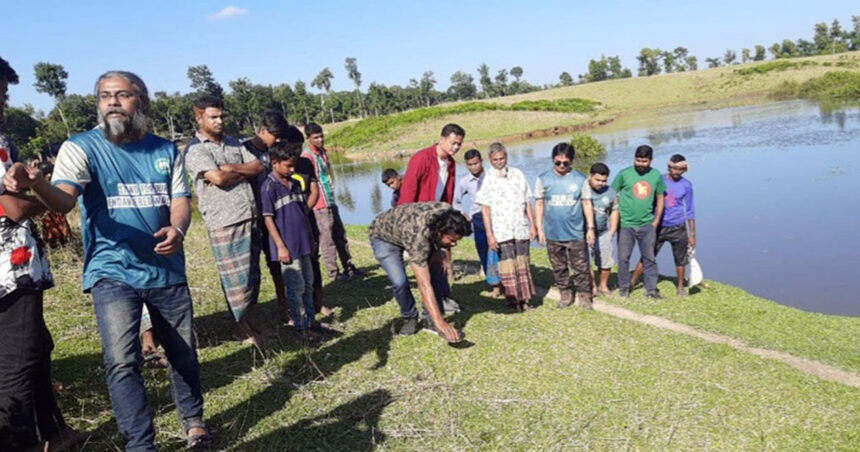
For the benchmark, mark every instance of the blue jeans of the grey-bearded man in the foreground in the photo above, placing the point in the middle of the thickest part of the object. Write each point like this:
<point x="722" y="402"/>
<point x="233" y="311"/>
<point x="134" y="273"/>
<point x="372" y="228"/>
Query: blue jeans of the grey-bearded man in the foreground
<point x="118" y="308"/>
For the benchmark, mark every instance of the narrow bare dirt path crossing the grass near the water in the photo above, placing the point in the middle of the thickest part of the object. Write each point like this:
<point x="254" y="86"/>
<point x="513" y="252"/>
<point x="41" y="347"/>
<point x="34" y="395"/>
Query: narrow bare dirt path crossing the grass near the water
<point x="807" y="366"/>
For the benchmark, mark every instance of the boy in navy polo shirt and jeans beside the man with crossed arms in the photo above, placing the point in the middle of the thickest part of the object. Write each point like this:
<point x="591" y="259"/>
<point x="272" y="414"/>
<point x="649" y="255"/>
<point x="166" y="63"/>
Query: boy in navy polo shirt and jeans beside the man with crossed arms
<point x="284" y="213"/>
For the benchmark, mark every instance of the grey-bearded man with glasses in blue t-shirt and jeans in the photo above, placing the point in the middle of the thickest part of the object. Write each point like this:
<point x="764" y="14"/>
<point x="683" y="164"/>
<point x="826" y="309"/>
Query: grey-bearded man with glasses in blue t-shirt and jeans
<point x="135" y="211"/>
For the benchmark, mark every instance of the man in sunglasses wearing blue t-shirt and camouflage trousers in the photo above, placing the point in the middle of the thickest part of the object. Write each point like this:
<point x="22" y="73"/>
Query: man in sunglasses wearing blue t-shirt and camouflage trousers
<point x="561" y="212"/>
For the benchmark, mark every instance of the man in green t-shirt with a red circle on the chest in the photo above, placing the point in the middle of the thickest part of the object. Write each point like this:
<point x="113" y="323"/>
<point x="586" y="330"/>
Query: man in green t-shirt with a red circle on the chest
<point x="640" y="191"/>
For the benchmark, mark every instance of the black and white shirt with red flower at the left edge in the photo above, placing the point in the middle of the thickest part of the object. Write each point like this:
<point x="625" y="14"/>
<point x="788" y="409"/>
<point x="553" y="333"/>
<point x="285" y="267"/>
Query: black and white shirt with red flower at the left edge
<point x="23" y="263"/>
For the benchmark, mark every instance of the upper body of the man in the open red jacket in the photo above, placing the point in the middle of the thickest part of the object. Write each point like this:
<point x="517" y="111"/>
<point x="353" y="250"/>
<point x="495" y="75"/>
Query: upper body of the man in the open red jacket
<point x="430" y="173"/>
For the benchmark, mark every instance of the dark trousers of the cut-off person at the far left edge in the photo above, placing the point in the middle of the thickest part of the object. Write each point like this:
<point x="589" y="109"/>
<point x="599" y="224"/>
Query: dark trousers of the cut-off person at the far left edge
<point x="28" y="408"/>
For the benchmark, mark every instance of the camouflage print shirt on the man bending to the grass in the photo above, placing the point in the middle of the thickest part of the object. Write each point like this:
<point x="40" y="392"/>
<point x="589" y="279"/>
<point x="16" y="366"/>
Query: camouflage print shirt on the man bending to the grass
<point x="407" y="226"/>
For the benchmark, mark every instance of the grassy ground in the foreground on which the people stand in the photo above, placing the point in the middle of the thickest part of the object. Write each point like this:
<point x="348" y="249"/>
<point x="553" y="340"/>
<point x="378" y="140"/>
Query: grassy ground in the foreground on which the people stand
<point x="547" y="380"/>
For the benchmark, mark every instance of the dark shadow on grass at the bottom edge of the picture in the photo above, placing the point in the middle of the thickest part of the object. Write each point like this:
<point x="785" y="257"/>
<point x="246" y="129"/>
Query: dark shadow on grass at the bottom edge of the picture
<point x="352" y="426"/>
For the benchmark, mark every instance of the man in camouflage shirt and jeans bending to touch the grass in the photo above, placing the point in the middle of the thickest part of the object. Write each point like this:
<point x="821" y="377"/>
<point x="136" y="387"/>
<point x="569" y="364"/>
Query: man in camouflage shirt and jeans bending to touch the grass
<point x="422" y="229"/>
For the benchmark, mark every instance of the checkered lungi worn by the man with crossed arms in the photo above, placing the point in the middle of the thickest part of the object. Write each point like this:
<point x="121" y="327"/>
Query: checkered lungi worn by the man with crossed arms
<point x="237" y="253"/>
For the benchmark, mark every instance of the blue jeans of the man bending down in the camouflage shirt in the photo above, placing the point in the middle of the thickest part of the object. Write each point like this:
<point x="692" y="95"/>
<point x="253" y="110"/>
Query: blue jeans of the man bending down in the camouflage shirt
<point x="390" y="257"/>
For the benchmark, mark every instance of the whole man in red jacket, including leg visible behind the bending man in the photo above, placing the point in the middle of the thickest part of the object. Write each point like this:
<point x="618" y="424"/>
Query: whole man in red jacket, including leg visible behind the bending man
<point x="430" y="177"/>
